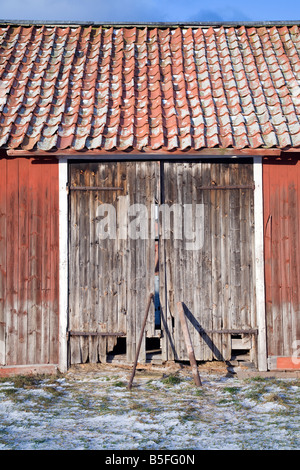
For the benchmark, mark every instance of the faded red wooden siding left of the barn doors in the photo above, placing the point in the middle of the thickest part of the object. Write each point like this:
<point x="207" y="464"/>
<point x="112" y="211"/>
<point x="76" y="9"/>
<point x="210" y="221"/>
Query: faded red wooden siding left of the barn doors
<point x="29" y="254"/>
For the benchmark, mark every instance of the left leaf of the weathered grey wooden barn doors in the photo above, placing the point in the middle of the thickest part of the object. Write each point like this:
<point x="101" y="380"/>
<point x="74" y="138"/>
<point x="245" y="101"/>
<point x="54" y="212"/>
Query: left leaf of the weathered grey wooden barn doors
<point x="112" y="255"/>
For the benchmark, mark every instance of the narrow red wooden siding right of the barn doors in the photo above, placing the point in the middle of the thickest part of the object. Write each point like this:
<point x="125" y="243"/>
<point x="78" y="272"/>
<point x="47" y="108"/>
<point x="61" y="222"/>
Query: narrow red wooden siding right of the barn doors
<point x="281" y="180"/>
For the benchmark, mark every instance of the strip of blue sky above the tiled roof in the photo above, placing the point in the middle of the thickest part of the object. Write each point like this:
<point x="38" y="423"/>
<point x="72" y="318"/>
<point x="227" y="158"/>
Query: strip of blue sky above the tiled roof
<point x="150" y="10"/>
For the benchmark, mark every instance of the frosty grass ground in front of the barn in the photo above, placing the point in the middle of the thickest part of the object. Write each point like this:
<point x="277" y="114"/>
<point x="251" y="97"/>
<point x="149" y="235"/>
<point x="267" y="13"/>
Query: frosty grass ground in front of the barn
<point x="93" y="409"/>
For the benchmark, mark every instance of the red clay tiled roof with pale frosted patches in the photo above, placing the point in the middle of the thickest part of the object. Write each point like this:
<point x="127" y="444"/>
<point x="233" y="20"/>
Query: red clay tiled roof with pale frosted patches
<point x="148" y="88"/>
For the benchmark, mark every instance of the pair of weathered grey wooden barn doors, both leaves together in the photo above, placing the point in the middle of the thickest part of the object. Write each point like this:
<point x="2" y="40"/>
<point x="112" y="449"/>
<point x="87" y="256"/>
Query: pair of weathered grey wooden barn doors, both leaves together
<point x="197" y="219"/>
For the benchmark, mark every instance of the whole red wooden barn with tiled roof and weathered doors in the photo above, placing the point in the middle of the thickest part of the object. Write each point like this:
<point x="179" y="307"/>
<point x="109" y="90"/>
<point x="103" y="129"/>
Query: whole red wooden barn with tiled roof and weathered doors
<point x="141" y="160"/>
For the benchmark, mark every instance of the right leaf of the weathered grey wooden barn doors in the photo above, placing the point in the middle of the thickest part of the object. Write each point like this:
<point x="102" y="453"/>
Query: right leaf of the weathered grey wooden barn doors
<point x="208" y="257"/>
